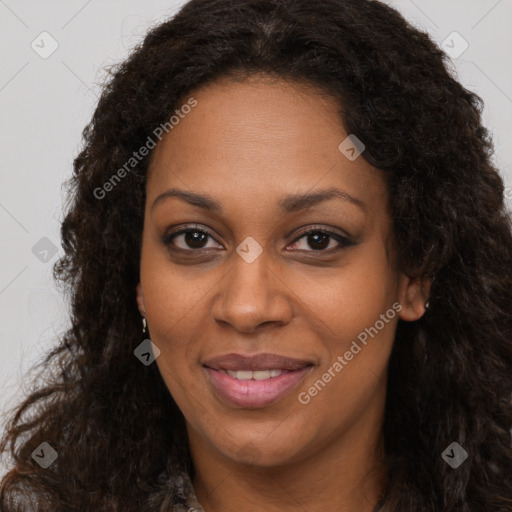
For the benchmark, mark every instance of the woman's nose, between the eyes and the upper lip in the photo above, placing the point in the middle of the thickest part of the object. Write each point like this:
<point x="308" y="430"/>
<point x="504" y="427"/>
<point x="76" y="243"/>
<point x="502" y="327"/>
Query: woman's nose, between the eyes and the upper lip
<point x="253" y="294"/>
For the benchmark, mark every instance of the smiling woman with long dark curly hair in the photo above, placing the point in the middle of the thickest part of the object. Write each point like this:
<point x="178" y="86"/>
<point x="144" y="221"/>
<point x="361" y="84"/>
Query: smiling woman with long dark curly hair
<point x="297" y="200"/>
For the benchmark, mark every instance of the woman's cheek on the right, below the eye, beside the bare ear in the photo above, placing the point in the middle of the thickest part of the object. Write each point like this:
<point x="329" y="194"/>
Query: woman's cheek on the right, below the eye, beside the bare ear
<point x="358" y="321"/>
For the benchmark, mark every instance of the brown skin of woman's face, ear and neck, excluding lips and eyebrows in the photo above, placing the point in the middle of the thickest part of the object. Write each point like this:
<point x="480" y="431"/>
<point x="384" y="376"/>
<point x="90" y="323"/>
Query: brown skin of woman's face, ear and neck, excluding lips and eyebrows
<point x="247" y="144"/>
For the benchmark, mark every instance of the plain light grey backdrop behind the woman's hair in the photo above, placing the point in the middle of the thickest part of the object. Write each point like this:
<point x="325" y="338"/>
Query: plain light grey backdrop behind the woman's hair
<point x="46" y="103"/>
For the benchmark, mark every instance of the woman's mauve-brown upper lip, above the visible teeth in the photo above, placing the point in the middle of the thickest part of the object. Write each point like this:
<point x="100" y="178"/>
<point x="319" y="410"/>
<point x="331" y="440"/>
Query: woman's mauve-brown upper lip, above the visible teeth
<point x="264" y="361"/>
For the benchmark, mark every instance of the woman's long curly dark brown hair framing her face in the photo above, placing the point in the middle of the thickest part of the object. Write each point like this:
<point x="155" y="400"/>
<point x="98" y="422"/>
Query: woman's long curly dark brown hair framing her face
<point x="119" y="435"/>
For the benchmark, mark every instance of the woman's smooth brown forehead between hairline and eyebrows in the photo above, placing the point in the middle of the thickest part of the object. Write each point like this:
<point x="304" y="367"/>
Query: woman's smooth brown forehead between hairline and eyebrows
<point x="258" y="138"/>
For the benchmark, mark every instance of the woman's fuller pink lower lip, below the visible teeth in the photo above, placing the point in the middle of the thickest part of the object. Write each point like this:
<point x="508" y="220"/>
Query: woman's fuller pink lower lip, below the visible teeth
<point x="255" y="393"/>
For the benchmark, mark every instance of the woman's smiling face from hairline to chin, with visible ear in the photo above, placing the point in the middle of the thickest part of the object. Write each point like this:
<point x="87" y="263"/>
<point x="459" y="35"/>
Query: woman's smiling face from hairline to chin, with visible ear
<point x="246" y="279"/>
